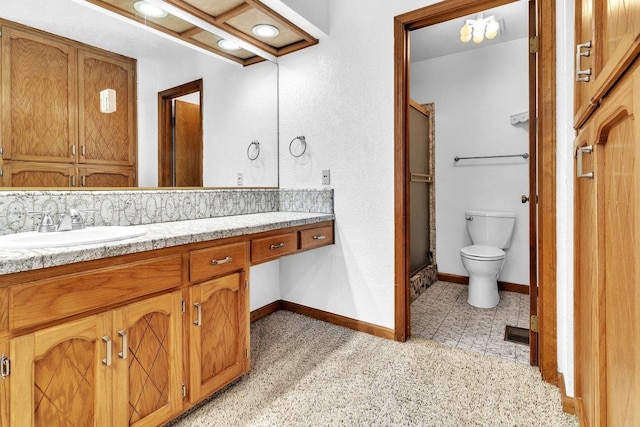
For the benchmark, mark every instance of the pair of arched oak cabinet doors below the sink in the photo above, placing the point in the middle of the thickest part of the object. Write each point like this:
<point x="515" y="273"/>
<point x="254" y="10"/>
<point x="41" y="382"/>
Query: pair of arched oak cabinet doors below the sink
<point x="122" y="367"/>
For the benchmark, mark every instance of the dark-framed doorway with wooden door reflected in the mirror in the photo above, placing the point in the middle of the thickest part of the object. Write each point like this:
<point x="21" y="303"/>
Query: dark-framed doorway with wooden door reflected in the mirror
<point x="180" y="146"/>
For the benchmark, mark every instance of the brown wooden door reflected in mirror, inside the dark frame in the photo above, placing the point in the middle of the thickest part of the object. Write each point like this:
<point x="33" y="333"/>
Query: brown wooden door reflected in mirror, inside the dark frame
<point x="188" y="145"/>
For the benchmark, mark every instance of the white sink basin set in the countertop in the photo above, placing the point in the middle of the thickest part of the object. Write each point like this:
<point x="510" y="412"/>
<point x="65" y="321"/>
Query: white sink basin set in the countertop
<point x="86" y="236"/>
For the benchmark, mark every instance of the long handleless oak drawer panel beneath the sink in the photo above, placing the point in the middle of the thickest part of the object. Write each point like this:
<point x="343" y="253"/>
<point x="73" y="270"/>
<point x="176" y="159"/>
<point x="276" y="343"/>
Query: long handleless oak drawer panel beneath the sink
<point x="50" y="299"/>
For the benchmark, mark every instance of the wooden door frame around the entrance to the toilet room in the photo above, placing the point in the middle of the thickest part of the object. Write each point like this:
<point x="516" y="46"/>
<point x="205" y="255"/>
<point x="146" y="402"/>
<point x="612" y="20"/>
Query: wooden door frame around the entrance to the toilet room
<point x="545" y="209"/>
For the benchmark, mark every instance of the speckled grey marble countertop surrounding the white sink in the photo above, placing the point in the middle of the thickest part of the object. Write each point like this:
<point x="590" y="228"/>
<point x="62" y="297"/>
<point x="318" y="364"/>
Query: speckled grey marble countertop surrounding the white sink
<point x="158" y="236"/>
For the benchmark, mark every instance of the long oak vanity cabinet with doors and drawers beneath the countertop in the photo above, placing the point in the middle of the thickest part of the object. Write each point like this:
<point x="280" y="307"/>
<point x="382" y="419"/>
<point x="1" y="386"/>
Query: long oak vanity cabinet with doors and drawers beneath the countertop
<point x="129" y="341"/>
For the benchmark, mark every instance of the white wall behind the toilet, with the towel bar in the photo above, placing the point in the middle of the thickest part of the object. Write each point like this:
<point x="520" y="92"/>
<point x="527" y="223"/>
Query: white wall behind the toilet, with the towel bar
<point x="475" y="93"/>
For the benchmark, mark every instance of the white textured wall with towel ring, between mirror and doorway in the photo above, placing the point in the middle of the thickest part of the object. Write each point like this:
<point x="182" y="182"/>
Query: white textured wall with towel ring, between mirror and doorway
<point x="339" y="95"/>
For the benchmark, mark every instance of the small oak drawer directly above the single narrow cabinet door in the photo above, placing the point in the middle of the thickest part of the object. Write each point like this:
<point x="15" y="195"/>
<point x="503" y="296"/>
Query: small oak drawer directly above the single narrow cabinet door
<point x="215" y="261"/>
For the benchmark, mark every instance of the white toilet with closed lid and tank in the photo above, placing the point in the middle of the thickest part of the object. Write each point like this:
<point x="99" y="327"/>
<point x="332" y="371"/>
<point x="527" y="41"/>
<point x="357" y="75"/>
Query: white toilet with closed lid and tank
<point x="490" y="233"/>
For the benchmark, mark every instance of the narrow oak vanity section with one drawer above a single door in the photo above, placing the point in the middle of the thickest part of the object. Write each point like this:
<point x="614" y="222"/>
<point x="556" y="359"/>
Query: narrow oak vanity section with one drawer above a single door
<point x="218" y="318"/>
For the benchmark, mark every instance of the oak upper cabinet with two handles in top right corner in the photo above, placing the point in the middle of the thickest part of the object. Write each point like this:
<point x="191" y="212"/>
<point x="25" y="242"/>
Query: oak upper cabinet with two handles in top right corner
<point x="607" y="37"/>
